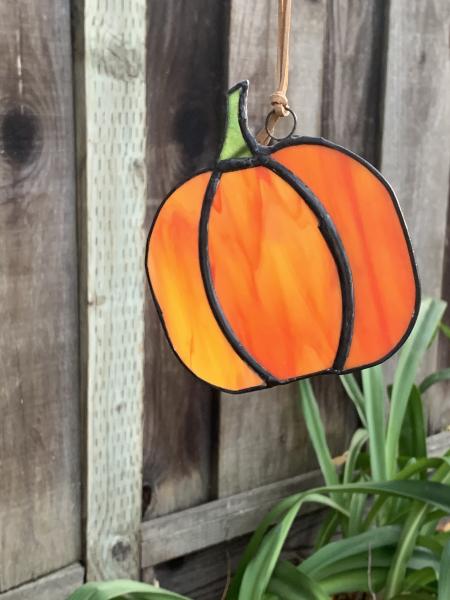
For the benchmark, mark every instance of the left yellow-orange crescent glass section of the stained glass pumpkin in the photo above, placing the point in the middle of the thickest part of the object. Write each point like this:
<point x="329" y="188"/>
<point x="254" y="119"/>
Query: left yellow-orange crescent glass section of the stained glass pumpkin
<point x="174" y="270"/>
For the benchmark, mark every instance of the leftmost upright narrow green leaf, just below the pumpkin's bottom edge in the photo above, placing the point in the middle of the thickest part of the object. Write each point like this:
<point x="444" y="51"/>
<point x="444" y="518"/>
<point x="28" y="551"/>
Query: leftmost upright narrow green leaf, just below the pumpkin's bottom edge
<point x="311" y="413"/>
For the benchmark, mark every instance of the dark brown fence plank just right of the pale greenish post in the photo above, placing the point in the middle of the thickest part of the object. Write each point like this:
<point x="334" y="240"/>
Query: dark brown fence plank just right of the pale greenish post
<point x="186" y="101"/>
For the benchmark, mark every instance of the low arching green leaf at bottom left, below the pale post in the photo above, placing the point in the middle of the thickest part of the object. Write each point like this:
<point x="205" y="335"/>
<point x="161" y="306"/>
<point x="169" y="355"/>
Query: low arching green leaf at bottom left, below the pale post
<point x="121" y="588"/>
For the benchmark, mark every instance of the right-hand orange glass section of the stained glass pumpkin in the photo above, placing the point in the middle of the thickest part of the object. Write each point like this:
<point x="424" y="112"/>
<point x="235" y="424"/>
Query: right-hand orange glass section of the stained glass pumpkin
<point x="363" y="212"/>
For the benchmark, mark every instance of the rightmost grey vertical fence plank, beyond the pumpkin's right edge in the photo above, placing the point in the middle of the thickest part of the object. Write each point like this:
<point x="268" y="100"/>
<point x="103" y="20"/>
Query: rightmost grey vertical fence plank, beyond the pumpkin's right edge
<point x="415" y="150"/>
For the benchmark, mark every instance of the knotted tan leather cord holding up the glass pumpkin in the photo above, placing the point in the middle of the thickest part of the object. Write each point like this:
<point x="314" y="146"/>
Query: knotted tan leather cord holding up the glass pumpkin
<point x="278" y="99"/>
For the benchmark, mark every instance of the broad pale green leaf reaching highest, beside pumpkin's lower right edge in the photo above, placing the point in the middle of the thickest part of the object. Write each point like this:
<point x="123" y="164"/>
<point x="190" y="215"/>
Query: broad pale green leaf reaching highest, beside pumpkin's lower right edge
<point x="410" y="357"/>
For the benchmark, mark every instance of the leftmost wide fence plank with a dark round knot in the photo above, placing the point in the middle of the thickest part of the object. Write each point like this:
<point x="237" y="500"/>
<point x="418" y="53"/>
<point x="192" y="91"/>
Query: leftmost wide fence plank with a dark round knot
<point x="39" y="424"/>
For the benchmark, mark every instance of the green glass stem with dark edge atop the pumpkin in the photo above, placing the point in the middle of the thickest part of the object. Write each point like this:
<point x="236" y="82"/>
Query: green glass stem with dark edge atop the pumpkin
<point x="235" y="144"/>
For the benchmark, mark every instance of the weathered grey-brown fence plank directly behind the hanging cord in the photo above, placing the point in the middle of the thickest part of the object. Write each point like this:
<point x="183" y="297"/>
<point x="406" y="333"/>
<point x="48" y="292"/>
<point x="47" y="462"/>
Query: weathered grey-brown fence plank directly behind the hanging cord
<point x="335" y="86"/>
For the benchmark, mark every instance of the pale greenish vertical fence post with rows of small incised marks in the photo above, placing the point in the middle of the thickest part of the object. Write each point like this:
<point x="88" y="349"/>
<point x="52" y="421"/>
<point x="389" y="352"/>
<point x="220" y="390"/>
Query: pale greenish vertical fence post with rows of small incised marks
<point x="111" y="128"/>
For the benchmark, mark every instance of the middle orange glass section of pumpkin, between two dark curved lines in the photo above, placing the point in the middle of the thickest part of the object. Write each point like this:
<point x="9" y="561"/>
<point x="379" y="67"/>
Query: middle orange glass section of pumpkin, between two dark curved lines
<point x="275" y="278"/>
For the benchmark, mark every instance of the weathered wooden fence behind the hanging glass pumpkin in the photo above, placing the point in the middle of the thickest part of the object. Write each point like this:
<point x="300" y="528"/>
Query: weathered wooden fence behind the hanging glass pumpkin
<point x="114" y="460"/>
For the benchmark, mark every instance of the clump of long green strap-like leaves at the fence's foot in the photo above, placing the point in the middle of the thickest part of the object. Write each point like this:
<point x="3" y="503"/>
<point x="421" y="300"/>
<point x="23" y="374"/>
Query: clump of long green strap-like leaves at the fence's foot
<point x="381" y="535"/>
